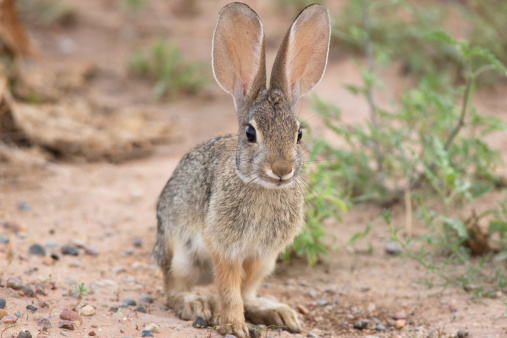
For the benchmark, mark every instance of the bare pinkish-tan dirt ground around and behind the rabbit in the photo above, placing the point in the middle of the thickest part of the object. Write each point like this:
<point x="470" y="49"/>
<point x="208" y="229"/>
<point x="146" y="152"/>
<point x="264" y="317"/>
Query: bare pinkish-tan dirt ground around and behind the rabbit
<point x="111" y="207"/>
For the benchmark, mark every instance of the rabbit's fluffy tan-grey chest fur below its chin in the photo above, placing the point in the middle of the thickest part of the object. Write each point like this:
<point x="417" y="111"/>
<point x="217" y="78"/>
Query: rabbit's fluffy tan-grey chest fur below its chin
<point x="253" y="224"/>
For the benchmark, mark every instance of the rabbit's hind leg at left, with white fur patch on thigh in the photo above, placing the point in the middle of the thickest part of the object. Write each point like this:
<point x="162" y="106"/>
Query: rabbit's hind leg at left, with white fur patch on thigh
<point x="187" y="270"/>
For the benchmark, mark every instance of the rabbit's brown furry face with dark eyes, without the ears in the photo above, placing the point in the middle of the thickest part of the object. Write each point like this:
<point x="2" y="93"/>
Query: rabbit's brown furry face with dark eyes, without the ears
<point x="269" y="139"/>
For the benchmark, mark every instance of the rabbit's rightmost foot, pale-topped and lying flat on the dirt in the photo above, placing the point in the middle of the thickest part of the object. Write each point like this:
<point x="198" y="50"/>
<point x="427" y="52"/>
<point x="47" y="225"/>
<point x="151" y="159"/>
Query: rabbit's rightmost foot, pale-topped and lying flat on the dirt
<point x="268" y="312"/>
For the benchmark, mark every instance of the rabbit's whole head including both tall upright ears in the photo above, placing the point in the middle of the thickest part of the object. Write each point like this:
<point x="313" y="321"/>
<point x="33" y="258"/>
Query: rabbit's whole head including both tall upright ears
<point x="269" y="135"/>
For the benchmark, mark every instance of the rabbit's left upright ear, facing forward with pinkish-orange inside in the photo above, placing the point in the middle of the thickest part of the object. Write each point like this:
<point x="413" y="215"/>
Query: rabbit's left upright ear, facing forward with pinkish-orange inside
<point x="239" y="63"/>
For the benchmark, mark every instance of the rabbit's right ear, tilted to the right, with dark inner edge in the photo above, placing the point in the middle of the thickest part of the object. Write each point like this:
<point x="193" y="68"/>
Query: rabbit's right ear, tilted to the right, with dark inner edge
<point x="302" y="57"/>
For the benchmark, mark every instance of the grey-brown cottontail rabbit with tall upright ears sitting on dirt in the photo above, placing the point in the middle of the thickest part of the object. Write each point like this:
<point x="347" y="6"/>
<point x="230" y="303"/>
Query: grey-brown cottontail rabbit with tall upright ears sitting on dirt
<point x="235" y="202"/>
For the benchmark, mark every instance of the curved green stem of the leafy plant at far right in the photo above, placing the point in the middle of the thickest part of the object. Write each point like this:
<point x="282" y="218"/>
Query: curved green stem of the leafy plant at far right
<point x="414" y="184"/>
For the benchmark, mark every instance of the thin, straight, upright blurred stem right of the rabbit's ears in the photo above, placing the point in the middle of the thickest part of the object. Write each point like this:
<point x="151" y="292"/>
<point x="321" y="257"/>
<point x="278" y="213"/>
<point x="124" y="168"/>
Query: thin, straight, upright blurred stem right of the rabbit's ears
<point x="369" y="91"/>
